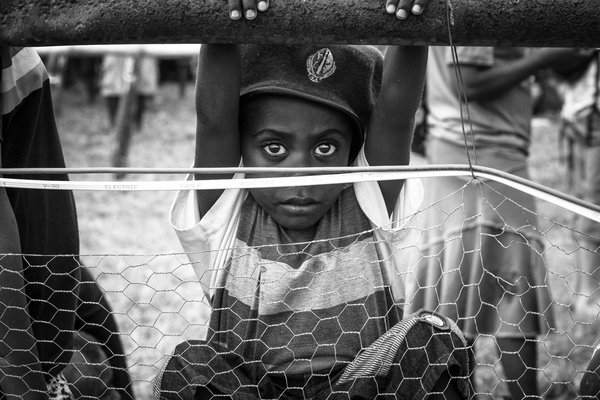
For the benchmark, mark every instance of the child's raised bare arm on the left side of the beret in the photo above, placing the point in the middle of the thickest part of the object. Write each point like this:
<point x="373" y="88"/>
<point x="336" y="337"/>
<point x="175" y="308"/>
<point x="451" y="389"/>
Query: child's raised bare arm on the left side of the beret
<point x="217" y="109"/>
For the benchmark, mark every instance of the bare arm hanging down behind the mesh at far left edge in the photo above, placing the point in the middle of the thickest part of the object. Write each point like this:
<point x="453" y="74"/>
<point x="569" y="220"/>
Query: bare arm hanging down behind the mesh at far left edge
<point x="21" y="376"/>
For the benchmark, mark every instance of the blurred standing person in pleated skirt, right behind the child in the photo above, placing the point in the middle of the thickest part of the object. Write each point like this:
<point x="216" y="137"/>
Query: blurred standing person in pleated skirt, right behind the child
<point x="479" y="262"/>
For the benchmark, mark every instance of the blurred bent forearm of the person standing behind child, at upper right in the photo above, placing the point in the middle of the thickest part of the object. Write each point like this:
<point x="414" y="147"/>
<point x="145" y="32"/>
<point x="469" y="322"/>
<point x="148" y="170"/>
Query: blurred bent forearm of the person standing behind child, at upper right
<point x="486" y="83"/>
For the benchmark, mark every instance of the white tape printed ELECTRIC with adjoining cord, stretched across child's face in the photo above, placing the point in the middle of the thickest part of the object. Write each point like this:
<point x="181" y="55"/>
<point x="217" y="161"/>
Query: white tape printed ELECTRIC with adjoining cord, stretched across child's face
<point x="365" y="174"/>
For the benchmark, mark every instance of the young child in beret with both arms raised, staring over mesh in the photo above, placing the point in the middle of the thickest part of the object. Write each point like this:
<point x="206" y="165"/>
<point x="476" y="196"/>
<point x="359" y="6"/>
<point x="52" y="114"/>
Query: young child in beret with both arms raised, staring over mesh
<point x="305" y="283"/>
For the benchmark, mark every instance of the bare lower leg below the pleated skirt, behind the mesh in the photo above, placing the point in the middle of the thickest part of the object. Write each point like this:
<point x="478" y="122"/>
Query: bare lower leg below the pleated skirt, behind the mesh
<point x="519" y="361"/>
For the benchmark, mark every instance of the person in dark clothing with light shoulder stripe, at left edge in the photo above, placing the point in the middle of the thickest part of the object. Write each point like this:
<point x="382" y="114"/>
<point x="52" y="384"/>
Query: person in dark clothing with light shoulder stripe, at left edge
<point x="39" y="238"/>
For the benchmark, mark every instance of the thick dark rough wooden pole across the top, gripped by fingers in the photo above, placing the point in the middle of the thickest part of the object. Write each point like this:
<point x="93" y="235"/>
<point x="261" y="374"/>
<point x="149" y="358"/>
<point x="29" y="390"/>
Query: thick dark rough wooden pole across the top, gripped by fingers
<point x="534" y="23"/>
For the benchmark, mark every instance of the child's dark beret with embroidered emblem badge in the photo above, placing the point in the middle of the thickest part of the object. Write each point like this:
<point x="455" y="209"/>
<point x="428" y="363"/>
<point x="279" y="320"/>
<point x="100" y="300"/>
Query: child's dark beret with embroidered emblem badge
<point x="347" y="78"/>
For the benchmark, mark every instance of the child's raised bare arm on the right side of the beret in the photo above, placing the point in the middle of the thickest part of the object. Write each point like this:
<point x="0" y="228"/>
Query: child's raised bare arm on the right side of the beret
<point x="389" y="137"/>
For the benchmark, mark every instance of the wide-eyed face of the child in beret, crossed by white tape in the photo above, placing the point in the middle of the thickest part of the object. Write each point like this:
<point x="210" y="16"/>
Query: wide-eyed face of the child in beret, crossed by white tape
<point x="282" y="131"/>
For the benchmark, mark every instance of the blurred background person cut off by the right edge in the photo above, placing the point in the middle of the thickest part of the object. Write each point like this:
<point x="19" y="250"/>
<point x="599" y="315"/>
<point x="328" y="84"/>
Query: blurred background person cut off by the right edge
<point x="580" y="130"/>
